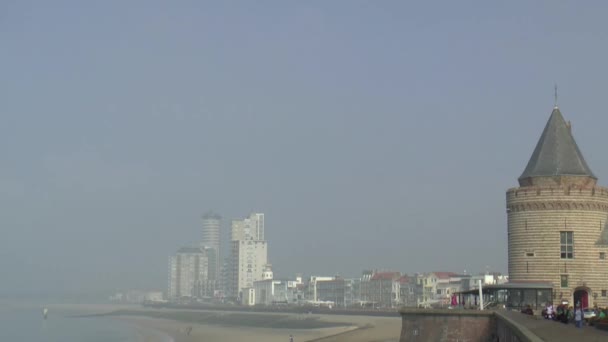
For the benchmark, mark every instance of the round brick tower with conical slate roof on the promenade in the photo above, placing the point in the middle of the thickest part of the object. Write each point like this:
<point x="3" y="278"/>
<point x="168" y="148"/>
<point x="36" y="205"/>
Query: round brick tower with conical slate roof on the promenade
<point x="557" y="221"/>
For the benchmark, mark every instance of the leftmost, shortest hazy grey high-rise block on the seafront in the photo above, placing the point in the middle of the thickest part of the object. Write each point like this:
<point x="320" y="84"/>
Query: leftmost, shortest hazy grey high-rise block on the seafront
<point x="188" y="273"/>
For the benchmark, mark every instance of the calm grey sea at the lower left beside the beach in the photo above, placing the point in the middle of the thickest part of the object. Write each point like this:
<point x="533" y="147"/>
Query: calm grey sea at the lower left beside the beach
<point x="27" y="325"/>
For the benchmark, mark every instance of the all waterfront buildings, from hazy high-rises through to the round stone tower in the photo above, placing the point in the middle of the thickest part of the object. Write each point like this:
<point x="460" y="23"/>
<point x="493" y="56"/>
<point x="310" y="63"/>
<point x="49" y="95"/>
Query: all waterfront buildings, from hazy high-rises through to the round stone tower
<point x="557" y="241"/>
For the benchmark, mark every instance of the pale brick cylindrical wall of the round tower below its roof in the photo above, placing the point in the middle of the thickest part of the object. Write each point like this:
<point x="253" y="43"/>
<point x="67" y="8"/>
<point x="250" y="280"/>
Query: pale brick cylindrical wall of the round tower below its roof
<point x="535" y="218"/>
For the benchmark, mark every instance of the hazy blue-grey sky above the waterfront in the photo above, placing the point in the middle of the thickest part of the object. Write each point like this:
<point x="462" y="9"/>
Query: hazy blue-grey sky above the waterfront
<point x="372" y="134"/>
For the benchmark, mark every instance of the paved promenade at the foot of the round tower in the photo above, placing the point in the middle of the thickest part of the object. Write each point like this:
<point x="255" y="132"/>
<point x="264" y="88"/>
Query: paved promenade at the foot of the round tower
<point x="556" y="331"/>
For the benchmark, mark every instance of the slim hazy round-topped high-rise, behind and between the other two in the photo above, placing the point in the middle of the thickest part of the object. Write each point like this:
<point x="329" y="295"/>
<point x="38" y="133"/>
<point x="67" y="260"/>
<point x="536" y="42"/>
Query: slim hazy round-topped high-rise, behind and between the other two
<point x="211" y="242"/>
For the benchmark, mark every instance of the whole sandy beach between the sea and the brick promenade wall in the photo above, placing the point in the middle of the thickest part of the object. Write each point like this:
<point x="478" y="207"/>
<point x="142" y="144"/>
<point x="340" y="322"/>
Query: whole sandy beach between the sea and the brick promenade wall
<point x="170" y="325"/>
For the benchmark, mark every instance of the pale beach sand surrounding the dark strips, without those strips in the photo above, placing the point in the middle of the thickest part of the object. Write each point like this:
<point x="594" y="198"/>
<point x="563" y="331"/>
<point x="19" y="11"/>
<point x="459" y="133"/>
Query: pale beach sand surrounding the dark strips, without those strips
<point x="355" y="328"/>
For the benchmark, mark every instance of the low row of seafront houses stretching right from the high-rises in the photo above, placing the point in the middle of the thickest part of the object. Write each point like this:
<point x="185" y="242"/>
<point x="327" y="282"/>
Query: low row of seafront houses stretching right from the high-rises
<point x="374" y="289"/>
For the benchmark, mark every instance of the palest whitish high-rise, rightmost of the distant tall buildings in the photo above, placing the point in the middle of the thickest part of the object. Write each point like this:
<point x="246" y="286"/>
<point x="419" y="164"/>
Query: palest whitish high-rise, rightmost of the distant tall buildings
<point x="248" y="253"/>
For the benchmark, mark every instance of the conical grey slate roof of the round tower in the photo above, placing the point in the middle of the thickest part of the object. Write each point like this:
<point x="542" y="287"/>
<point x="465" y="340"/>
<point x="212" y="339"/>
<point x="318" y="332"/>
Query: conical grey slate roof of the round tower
<point x="556" y="153"/>
